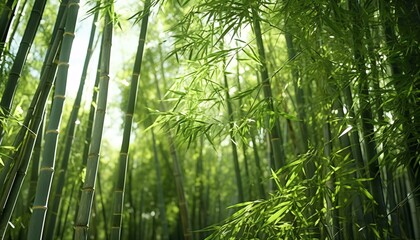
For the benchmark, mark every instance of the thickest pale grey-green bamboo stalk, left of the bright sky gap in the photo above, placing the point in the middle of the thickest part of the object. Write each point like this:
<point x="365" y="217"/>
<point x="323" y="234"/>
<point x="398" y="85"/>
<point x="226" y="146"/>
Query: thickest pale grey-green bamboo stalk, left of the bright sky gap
<point x="36" y="224"/>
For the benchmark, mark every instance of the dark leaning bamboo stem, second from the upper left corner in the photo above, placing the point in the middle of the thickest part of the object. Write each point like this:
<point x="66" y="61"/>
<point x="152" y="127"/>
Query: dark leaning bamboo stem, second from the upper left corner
<point x="20" y="59"/>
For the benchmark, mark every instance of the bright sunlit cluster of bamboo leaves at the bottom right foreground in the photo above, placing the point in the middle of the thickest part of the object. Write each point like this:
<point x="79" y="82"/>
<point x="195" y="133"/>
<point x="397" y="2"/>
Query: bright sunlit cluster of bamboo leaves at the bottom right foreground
<point x="287" y="214"/>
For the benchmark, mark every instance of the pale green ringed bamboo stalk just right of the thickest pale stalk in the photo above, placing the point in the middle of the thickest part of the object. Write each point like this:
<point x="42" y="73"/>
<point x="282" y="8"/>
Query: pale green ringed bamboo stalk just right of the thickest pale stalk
<point x="86" y="200"/>
